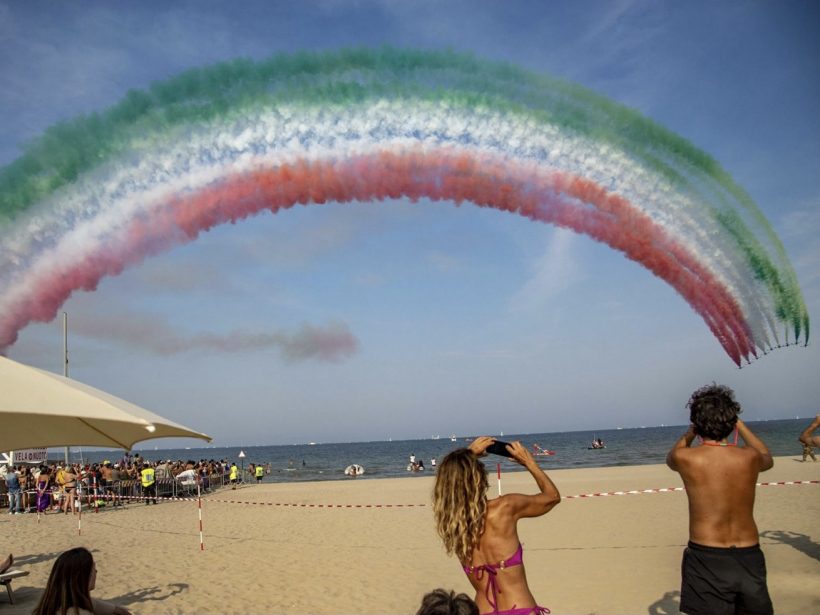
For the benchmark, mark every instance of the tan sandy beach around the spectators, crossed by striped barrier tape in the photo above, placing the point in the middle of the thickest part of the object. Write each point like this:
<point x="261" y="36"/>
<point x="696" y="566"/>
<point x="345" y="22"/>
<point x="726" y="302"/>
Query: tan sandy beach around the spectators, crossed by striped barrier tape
<point x="369" y="546"/>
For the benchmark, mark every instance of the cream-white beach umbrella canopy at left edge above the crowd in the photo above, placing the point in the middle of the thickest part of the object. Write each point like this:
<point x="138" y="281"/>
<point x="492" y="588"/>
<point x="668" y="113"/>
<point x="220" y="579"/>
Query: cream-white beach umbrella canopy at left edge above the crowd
<point x="42" y="409"/>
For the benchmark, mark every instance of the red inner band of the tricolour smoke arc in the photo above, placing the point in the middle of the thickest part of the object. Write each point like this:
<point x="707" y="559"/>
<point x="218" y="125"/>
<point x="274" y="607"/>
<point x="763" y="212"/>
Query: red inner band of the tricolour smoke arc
<point x="439" y="174"/>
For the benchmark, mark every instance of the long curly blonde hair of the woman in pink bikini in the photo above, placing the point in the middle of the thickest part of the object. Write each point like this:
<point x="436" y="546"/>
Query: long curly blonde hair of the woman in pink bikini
<point x="460" y="502"/>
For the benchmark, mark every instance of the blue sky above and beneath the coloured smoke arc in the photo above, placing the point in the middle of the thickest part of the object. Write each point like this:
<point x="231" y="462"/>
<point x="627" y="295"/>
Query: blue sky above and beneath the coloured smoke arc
<point x="466" y="320"/>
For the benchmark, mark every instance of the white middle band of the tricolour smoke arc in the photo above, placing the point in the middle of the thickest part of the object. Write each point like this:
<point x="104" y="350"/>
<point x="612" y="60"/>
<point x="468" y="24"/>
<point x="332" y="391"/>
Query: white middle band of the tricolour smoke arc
<point x="92" y="213"/>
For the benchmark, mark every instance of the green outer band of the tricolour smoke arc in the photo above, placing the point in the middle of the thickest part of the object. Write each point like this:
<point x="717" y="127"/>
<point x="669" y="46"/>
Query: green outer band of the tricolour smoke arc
<point x="354" y="76"/>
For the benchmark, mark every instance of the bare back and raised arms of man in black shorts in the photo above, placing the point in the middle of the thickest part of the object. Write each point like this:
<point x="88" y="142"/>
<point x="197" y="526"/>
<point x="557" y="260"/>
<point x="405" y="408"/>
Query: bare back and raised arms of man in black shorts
<point x="720" y="484"/>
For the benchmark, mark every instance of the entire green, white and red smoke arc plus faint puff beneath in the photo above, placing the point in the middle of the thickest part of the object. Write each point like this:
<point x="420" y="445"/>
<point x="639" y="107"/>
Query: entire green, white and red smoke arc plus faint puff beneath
<point x="219" y="144"/>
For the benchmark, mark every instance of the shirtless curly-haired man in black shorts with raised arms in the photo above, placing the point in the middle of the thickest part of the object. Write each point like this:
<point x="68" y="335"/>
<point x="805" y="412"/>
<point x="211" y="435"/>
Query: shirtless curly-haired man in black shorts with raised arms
<point x="723" y="567"/>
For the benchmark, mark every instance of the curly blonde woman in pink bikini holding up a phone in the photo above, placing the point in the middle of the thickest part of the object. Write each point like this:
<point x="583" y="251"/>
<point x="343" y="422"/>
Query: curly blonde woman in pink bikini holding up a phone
<point x="483" y="533"/>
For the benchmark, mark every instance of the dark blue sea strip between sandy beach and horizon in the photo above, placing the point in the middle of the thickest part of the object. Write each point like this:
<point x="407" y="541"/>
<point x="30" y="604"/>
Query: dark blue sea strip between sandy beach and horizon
<point x="390" y="459"/>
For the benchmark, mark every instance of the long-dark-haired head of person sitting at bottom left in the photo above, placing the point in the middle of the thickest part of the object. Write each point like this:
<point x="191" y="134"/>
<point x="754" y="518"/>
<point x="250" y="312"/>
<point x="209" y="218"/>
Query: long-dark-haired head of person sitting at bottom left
<point x="69" y="585"/>
